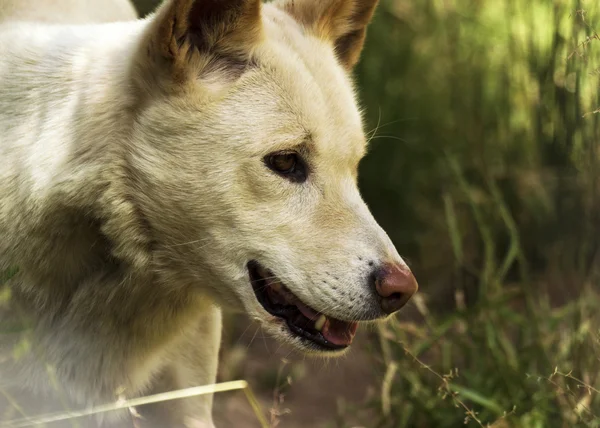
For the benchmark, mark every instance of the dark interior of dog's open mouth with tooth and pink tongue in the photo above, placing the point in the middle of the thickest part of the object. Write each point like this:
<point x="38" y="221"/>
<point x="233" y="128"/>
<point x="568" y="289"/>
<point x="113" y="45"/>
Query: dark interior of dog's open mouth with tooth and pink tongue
<point x="304" y="322"/>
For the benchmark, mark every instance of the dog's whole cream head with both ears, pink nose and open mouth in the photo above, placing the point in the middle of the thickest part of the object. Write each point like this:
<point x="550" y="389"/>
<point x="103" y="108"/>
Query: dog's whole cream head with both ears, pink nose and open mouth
<point x="250" y="143"/>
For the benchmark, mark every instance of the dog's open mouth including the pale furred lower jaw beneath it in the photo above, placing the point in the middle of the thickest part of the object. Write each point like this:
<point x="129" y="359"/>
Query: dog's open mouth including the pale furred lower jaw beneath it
<point x="292" y="321"/>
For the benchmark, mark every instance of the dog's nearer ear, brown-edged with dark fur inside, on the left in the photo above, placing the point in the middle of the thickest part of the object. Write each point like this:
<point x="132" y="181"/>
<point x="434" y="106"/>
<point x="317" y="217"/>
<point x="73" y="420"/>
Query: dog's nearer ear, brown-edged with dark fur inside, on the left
<point x="189" y="35"/>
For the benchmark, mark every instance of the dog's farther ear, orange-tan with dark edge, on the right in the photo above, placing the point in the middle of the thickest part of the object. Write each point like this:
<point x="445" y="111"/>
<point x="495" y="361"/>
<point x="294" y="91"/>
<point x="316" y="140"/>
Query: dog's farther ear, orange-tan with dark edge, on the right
<point x="342" y="22"/>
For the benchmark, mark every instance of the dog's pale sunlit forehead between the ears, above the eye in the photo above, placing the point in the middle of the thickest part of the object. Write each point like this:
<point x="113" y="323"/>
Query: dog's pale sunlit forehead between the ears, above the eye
<point x="318" y="91"/>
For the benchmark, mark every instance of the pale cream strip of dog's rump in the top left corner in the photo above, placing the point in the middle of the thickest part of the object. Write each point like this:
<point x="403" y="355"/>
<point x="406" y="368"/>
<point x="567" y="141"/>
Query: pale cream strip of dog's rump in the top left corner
<point x="67" y="11"/>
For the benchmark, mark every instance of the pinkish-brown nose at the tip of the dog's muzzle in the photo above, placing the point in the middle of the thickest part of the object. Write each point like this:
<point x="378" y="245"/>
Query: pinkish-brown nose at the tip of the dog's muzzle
<point x="395" y="284"/>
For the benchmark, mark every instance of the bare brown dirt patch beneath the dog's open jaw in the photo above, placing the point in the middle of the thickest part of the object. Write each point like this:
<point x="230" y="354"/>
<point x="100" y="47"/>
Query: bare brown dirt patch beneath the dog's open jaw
<point x="318" y="391"/>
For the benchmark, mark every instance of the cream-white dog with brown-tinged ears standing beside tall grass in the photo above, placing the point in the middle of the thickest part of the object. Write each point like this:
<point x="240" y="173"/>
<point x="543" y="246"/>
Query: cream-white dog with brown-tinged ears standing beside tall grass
<point x="156" y="171"/>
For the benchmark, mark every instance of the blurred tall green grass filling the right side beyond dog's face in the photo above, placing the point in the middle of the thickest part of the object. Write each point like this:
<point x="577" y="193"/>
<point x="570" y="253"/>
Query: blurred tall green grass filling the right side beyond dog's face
<point x="490" y="133"/>
